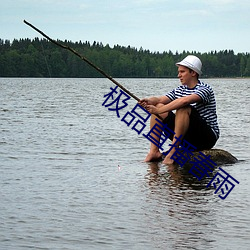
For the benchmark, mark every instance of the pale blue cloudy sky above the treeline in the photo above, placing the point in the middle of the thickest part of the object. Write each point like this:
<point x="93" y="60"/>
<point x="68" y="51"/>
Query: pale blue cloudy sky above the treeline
<point x="155" y="25"/>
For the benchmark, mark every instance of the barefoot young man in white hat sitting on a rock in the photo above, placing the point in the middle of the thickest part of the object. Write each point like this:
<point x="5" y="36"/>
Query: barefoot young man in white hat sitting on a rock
<point x="195" y="118"/>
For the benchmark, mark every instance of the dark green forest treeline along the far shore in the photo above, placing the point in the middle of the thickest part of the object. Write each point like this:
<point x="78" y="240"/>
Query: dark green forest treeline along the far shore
<point x="41" y="58"/>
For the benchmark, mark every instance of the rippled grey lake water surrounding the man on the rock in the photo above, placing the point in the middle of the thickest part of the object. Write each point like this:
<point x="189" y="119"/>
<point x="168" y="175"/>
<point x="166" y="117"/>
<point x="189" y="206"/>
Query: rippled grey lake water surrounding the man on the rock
<point x="72" y="174"/>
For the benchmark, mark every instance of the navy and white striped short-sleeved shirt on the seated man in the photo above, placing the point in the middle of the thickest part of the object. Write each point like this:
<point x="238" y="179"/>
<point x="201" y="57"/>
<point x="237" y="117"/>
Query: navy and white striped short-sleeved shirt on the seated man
<point x="206" y="108"/>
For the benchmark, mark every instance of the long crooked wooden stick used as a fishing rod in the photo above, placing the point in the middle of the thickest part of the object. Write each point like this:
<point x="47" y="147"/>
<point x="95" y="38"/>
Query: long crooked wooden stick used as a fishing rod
<point x="84" y="59"/>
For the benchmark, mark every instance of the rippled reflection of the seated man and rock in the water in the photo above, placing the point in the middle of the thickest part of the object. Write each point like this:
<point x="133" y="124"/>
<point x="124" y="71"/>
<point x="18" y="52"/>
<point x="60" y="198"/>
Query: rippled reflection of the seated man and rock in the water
<point x="185" y="201"/>
